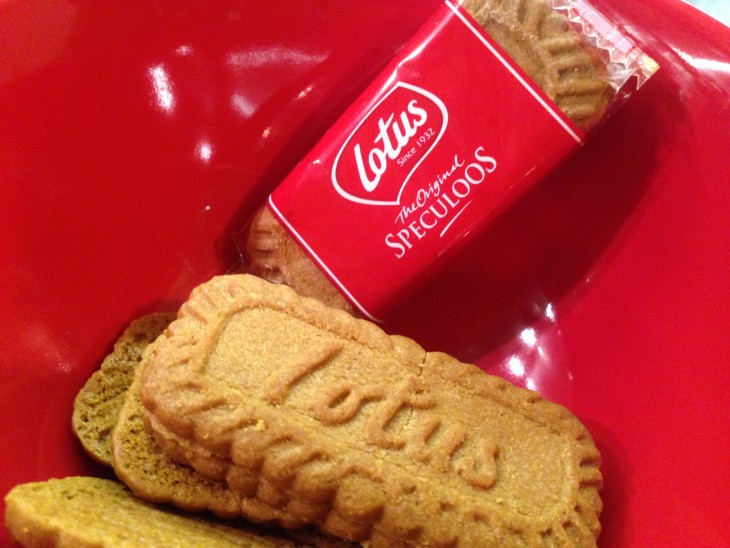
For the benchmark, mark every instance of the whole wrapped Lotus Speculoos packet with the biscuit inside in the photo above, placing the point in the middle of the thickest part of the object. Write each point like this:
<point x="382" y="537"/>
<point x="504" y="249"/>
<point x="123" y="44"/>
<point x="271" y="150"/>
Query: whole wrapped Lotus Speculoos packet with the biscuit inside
<point x="485" y="100"/>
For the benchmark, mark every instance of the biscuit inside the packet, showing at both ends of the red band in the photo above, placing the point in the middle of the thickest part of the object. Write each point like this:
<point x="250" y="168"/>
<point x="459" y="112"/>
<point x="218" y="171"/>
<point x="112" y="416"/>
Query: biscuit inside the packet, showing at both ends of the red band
<point x="539" y="40"/>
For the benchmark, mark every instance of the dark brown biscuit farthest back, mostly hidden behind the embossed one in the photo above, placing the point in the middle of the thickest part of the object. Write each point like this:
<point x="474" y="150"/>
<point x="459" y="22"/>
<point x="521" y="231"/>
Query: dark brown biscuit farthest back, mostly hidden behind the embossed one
<point x="97" y="404"/>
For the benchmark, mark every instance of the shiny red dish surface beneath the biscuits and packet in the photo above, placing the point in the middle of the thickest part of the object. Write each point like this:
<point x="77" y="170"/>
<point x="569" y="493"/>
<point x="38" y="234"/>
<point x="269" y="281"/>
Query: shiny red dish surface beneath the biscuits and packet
<point x="134" y="141"/>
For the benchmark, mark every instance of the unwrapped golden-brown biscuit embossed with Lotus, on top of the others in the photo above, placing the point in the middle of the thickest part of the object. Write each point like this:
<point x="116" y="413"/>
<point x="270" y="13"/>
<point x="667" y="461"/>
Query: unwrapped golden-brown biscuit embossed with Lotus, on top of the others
<point x="329" y="419"/>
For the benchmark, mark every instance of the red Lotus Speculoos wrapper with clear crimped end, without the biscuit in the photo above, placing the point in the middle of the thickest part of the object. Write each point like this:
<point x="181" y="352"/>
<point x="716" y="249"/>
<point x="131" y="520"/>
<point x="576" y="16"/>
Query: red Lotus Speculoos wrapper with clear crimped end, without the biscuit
<point x="447" y="136"/>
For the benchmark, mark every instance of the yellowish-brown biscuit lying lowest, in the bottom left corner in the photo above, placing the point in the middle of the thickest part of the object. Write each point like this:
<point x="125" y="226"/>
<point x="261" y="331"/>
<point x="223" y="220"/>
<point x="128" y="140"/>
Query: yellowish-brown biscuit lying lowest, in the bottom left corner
<point x="84" y="511"/>
